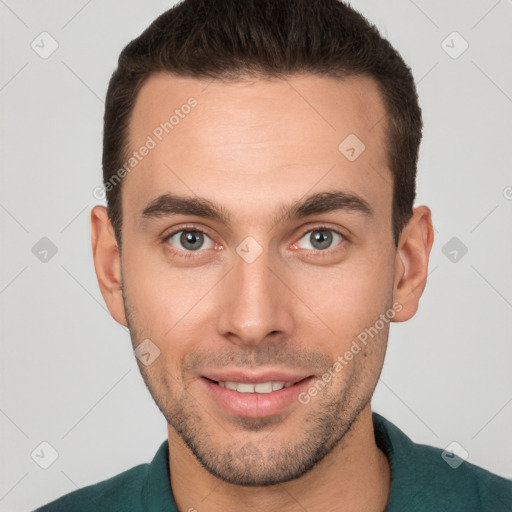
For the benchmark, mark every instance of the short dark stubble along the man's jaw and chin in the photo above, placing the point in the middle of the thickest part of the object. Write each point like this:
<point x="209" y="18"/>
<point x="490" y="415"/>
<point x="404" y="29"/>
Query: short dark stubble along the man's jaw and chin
<point x="246" y="463"/>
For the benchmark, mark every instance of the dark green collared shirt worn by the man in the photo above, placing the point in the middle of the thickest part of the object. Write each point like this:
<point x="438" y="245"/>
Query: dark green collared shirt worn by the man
<point x="422" y="480"/>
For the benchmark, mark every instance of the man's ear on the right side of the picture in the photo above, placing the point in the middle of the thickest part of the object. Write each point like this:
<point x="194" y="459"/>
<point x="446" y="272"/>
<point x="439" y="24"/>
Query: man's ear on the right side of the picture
<point x="411" y="264"/>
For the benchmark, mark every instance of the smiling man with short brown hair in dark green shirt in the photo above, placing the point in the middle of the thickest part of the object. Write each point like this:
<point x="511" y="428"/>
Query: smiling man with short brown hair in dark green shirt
<point x="259" y="163"/>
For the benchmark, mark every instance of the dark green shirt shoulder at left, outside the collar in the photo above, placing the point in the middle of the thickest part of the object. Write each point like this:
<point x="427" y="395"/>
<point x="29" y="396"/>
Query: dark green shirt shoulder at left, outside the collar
<point x="121" y="492"/>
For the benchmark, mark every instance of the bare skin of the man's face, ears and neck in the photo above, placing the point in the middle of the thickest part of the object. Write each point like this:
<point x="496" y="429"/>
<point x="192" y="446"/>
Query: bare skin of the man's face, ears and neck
<point x="252" y="147"/>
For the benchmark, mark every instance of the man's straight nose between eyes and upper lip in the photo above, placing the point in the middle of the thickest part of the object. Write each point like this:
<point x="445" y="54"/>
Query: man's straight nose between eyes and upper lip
<point x="255" y="303"/>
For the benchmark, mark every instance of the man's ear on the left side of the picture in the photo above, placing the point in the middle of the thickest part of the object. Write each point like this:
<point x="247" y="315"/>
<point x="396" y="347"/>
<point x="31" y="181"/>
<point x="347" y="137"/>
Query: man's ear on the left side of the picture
<point x="107" y="262"/>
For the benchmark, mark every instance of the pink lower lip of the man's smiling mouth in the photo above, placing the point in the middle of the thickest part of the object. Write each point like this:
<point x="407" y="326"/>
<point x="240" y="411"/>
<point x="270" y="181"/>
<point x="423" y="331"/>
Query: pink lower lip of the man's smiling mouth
<point x="255" y="405"/>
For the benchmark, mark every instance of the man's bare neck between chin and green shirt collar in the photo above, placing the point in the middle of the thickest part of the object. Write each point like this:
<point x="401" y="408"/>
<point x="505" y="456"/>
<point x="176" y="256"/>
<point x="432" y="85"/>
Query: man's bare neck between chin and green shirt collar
<point x="354" y="476"/>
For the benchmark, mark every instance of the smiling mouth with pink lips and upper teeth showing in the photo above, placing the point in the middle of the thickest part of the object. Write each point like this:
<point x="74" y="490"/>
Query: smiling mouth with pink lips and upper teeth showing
<point x="255" y="397"/>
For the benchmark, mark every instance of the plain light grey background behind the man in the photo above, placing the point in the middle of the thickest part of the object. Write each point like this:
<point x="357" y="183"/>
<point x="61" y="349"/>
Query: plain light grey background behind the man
<point x="68" y="374"/>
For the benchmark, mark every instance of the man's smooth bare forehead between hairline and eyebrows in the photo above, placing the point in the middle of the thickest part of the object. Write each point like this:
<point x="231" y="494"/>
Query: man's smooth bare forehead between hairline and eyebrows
<point x="256" y="142"/>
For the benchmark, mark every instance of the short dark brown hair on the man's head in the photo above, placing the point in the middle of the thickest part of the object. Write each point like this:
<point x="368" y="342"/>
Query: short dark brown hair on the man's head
<point x="230" y="39"/>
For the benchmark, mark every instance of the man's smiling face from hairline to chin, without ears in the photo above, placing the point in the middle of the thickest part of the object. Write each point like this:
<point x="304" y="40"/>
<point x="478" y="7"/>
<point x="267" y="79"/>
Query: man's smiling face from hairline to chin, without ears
<point x="255" y="251"/>
